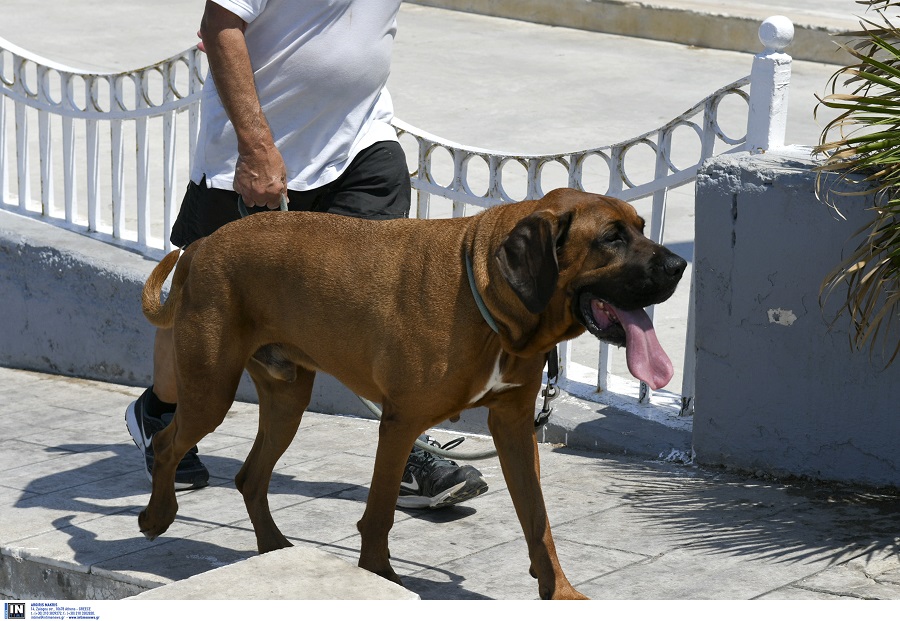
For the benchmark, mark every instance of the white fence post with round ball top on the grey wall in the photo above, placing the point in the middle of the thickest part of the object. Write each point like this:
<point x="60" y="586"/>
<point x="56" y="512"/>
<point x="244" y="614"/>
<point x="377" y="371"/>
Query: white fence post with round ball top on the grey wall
<point x="770" y="79"/>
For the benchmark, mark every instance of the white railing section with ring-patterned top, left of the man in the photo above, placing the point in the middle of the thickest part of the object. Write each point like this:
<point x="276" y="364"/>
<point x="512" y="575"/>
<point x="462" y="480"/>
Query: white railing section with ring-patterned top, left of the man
<point x="90" y="121"/>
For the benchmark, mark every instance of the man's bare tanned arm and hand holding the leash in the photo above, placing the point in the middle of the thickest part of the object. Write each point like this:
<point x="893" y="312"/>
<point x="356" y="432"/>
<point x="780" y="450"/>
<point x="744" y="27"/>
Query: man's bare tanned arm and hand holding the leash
<point x="260" y="175"/>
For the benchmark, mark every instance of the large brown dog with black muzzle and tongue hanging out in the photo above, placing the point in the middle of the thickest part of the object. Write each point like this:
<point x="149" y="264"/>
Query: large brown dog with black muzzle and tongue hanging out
<point x="387" y="308"/>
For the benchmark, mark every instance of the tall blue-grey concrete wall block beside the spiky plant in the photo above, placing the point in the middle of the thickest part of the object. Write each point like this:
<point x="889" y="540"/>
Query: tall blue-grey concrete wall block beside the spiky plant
<point x="777" y="390"/>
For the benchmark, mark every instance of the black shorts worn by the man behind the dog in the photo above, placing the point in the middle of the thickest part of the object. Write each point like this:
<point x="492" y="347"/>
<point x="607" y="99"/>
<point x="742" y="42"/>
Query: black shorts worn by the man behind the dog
<point x="375" y="187"/>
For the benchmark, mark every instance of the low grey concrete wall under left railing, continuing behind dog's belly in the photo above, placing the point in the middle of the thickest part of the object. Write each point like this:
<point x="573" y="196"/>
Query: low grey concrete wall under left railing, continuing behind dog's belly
<point x="71" y="305"/>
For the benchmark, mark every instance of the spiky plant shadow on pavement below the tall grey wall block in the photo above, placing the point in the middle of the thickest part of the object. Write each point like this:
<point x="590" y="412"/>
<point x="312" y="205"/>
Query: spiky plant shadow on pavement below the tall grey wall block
<point x="783" y="522"/>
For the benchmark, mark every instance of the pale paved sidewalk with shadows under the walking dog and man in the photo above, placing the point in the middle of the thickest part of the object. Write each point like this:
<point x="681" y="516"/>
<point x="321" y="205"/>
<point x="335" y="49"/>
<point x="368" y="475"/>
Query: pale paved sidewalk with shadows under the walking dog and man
<point x="72" y="484"/>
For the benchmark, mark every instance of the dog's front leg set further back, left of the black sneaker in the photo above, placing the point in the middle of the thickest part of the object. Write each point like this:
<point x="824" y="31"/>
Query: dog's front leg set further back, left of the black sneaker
<point x="395" y="440"/>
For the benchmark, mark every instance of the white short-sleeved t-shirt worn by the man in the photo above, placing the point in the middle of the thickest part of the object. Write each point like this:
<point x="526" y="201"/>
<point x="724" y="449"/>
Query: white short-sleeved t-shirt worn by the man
<point x="320" y="68"/>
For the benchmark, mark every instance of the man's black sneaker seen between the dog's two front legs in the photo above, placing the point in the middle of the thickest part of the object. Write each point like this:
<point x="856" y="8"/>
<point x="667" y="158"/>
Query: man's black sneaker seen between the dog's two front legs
<point x="432" y="482"/>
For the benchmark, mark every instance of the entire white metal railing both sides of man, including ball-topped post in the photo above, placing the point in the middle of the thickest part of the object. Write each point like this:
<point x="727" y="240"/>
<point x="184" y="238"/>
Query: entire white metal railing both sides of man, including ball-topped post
<point x="69" y="107"/>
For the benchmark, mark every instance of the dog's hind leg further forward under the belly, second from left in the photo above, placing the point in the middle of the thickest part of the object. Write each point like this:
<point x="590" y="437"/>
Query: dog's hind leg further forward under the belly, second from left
<point x="281" y="406"/>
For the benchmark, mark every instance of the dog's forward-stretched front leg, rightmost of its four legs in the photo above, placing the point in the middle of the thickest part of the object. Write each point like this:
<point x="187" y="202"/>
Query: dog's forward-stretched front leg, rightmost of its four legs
<point x="512" y="429"/>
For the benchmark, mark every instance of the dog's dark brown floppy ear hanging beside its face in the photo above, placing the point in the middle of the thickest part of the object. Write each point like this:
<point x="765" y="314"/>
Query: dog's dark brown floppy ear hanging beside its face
<point x="527" y="257"/>
